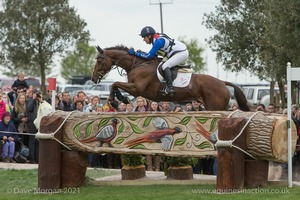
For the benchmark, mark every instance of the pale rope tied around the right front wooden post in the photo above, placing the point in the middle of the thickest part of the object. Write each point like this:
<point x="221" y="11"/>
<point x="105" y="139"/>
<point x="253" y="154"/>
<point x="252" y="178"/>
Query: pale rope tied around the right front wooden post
<point x="229" y="143"/>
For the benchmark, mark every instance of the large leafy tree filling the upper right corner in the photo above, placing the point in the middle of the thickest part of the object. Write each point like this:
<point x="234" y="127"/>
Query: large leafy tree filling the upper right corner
<point x="260" y="36"/>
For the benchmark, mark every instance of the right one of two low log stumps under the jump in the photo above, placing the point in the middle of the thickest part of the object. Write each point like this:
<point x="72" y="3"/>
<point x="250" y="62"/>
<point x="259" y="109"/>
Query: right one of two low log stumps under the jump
<point x="180" y="173"/>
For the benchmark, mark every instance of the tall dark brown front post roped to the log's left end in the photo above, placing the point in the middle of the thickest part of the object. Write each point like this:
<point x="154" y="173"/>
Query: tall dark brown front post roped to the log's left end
<point x="49" y="171"/>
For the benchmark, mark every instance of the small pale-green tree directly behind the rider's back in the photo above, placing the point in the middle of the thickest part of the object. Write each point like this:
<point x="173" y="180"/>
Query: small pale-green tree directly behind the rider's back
<point x="195" y="59"/>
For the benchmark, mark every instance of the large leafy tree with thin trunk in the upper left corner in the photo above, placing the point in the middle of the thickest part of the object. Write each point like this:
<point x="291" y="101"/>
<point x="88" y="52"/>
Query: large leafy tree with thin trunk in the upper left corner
<point x="33" y="32"/>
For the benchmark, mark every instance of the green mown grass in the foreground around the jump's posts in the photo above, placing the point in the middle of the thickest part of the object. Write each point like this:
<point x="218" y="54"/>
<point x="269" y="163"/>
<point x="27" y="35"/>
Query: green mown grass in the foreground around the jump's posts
<point x="22" y="184"/>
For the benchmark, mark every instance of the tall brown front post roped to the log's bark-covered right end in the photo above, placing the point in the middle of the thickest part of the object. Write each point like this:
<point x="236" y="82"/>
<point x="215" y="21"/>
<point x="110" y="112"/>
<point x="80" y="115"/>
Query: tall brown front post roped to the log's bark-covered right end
<point x="231" y="161"/>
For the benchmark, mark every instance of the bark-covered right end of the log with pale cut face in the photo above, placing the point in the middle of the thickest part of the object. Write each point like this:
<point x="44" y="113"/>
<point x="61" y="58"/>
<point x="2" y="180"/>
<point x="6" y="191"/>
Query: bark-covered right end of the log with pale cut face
<point x="267" y="136"/>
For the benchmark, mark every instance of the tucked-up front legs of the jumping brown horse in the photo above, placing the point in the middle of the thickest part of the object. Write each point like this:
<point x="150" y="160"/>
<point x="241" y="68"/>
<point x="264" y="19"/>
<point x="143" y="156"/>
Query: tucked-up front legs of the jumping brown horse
<point x="127" y="87"/>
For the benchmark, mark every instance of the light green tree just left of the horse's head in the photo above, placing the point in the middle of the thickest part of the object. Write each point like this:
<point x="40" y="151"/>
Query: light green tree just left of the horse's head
<point x="80" y="62"/>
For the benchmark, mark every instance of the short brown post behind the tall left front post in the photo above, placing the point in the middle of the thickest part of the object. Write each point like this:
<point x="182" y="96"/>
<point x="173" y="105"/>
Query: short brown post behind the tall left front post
<point x="74" y="165"/>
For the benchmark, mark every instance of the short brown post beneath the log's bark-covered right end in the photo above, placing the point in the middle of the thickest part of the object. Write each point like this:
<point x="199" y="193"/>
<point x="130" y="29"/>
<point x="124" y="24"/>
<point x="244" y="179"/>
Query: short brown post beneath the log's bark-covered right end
<point x="256" y="173"/>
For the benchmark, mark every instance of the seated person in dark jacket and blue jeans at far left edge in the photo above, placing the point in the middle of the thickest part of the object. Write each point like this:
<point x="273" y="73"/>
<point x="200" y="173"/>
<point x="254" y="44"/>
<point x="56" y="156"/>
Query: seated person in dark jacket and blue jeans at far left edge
<point x="7" y="138"/>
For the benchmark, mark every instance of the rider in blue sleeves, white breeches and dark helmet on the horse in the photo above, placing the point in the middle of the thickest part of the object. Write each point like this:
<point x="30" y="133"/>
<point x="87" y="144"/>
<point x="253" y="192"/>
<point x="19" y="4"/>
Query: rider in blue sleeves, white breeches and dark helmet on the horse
<point x="173" y="51"/>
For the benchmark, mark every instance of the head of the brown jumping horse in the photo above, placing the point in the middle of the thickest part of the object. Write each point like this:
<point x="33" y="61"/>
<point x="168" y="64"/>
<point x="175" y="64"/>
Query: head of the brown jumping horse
<point x="102" y="66"/>
